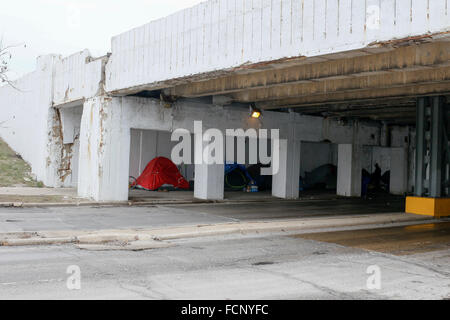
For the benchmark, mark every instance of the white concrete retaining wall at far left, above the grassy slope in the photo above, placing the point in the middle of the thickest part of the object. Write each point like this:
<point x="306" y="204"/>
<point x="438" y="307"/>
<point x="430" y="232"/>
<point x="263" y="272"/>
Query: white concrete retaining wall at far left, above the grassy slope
<point x="27" y="120"/>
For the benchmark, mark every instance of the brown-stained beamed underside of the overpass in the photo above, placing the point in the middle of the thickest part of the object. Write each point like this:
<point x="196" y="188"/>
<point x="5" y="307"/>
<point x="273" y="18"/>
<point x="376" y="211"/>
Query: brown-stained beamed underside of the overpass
<point x="379" y="83"/>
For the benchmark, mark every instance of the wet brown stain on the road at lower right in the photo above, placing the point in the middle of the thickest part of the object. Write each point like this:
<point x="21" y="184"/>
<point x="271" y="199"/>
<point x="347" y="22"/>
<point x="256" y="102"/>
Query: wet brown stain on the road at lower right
<point x="395" y="240"/>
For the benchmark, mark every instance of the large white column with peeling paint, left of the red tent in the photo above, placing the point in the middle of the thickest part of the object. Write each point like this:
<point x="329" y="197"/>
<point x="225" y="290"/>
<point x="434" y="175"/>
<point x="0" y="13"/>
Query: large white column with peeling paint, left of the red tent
<point x="104" y="150"/>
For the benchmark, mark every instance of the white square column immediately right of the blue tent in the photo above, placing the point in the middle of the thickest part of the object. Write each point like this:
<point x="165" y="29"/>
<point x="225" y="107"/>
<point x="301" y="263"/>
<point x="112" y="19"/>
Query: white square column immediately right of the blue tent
<point x="285" y="183"/>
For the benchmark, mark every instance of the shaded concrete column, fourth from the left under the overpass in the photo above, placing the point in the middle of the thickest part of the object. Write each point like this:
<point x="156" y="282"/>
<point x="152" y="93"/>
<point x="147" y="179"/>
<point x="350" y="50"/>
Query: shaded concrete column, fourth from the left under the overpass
<point x="349" y="170"/>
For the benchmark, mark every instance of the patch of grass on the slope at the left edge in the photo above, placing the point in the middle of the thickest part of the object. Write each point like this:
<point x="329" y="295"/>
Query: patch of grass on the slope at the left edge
<point x="14" y="171"/>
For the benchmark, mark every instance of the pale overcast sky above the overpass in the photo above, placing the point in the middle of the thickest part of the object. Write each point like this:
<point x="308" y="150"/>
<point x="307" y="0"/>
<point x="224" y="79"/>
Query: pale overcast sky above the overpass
<point x="68" y="26"/>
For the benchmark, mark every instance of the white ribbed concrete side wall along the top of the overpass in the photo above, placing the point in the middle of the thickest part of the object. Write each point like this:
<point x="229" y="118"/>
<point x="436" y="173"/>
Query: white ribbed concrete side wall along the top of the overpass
<point x="226" y="34"/>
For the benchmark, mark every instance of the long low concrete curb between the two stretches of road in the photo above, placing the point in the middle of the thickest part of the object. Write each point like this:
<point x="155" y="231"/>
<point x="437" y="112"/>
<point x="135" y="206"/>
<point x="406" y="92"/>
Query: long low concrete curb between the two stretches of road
<point x="185" y="232"/>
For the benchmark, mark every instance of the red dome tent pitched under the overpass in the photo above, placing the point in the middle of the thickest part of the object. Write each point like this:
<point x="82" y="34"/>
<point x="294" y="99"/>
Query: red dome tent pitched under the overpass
<point x="161" y="171"/>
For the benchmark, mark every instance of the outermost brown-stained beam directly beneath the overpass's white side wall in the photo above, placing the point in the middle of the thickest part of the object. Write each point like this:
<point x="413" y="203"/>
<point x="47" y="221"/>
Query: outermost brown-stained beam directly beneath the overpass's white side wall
<point x="407" y="58"/>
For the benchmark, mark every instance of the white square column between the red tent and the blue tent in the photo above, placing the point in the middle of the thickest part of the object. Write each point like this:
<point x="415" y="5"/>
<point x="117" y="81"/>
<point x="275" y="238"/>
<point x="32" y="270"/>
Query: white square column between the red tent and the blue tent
<point x="209" y="178"/>
